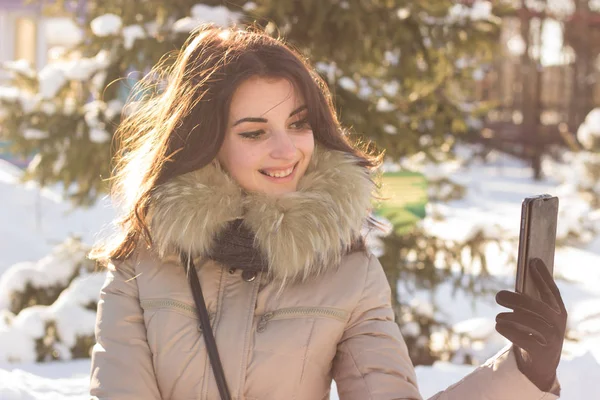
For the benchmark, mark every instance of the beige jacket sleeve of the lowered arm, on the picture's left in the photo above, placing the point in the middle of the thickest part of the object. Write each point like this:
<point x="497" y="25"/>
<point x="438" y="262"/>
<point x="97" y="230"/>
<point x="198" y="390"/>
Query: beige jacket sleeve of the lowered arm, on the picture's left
<point x="122" y="367"/>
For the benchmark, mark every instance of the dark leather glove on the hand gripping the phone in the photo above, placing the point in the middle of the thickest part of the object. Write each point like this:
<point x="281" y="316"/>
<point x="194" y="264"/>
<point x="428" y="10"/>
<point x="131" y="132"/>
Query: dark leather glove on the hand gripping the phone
<point x="536" y="328"/>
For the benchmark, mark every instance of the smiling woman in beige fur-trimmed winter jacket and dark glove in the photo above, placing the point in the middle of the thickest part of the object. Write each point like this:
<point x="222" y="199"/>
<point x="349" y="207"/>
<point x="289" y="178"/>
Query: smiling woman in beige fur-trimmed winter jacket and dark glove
<point x="240" y="172"/>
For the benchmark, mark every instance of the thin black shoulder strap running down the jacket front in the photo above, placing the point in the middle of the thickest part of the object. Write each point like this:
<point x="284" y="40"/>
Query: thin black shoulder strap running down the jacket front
<point x="209" y="339"/>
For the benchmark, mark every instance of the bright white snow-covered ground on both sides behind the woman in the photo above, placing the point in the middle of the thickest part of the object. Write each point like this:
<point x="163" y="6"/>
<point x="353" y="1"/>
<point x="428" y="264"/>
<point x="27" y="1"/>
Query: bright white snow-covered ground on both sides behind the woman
<point x="492" y="203"/>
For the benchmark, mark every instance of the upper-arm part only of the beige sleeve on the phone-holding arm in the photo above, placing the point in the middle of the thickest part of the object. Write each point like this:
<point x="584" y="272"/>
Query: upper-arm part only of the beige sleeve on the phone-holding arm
<point x="372" y="359"/>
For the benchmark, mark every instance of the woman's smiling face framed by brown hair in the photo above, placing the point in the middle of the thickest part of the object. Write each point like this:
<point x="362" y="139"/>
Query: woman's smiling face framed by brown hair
<point x="268" y="142"/>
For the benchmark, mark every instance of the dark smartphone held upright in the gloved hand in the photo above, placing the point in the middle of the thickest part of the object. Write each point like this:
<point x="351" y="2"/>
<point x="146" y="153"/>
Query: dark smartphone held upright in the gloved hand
<point x="539" y="217"/>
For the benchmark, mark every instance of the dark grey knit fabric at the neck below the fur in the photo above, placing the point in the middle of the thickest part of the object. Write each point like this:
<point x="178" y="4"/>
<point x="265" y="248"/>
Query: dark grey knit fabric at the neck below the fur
<point x="234" y="248"/>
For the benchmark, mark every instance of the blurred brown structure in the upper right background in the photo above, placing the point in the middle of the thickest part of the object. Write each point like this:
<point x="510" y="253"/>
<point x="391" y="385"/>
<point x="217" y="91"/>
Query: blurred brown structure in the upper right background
<point x="545" y="80"/>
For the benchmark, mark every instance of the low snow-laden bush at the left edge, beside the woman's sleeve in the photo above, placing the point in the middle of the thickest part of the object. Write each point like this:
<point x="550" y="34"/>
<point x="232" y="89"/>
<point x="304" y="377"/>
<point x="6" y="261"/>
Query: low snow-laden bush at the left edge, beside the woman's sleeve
<point x="48" y="307"/>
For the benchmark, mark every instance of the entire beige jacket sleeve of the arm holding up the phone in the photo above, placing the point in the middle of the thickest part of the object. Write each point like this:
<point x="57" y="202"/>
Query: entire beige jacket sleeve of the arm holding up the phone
<point x="372" y="360"/>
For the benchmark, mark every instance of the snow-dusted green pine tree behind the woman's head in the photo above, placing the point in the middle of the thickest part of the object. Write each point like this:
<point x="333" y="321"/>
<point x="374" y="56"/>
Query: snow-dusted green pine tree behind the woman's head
<point x="401" y="73"/>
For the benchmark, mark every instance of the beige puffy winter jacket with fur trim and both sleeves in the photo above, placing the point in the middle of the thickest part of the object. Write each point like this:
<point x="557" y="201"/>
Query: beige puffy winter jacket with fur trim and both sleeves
<point x="317" y="315"/>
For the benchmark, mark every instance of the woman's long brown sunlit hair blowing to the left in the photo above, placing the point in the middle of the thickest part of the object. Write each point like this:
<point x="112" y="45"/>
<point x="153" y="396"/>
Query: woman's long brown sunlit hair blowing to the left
<point x="181" y="129"/>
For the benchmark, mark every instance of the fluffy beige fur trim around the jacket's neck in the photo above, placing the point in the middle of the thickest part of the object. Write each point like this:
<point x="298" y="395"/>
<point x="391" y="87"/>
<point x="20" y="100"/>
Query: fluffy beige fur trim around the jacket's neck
<point x="301" y="234"/>
